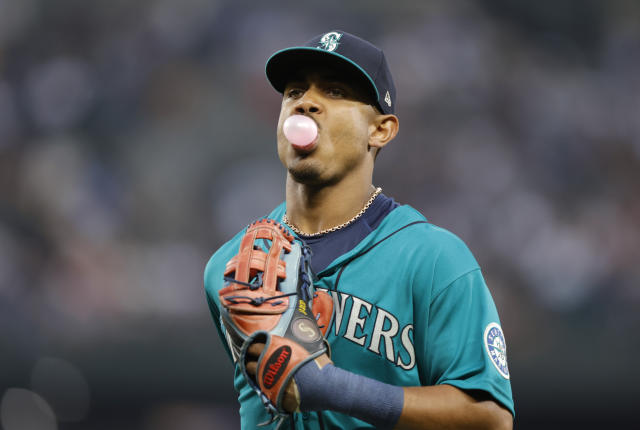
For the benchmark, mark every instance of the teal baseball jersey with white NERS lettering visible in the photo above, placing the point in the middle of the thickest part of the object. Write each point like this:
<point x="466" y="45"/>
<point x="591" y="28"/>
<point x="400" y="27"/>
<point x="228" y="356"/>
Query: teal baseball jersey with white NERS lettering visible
<point x="411" y="309"/>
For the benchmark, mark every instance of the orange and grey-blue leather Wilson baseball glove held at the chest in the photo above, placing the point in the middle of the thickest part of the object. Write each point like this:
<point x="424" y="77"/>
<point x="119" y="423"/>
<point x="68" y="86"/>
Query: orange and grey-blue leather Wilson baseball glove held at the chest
<point x="268" y="297"/>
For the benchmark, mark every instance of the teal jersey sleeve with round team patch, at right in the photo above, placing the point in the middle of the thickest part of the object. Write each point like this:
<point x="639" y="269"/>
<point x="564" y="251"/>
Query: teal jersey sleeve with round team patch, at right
<point x="465" y="340"/>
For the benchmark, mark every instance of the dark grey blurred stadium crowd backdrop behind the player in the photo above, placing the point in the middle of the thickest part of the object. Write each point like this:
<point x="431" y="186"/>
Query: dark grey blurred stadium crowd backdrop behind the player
<point x="137" y="136"/>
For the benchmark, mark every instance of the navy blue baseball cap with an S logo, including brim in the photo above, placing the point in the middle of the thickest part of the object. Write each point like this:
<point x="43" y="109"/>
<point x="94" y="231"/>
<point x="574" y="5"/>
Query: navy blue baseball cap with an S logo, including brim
<point x="347" y="53"/>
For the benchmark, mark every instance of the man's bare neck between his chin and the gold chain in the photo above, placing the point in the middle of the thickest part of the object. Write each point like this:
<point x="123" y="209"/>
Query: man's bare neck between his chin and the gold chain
<point x="316" y="208"/>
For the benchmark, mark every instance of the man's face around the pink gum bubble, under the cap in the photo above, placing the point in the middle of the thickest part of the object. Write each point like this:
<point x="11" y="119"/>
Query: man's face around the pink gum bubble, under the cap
<point x="342" y="111"/>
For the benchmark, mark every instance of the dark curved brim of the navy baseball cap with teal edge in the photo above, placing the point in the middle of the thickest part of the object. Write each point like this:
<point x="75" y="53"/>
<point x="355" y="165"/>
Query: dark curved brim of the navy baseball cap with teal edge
<point x="282" y="66"/>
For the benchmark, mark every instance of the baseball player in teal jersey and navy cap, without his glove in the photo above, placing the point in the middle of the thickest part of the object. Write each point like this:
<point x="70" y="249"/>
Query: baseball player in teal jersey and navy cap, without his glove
<point x="415" y="339"/>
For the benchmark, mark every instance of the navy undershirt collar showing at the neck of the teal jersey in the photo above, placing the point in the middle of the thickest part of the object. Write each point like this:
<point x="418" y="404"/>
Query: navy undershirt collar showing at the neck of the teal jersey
<point x="329" y="246"/>
